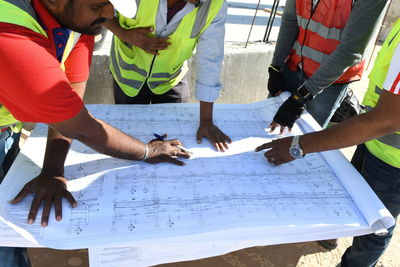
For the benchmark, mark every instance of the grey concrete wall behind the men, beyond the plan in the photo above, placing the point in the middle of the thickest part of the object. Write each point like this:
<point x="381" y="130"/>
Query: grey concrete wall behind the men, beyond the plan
<point x="243" y="69"/>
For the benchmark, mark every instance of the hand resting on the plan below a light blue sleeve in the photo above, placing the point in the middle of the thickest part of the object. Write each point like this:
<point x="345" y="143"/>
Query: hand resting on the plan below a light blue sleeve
<point x="217" y="138"/>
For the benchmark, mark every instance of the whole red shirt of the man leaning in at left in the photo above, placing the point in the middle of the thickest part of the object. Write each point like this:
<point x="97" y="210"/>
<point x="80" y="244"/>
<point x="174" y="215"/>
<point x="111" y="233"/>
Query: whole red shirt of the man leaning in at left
<point x="33" y="86"/>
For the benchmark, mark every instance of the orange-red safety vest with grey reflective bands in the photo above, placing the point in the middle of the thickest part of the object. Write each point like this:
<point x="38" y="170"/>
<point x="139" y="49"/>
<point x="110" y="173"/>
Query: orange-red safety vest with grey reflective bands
<point x="319" y="34"/>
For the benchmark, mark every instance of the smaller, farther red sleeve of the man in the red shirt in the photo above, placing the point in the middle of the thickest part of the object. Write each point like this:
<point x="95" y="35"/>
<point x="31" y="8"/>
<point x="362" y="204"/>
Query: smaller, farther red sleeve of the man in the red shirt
<point x="78" y="63"/>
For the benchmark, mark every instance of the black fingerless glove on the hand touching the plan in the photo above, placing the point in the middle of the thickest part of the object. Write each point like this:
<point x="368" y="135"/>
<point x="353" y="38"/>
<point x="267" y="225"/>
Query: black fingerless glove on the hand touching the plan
<point x="289" y="112"/>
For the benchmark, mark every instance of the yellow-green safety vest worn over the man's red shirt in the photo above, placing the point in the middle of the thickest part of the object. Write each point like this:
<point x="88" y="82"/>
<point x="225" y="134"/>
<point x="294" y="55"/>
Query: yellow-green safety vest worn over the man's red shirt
<point x="20" y="12"/>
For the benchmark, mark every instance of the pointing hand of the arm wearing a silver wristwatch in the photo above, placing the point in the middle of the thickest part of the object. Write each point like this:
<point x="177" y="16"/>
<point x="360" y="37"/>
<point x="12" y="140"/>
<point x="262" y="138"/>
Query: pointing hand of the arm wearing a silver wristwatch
<point x="278" y="152"/>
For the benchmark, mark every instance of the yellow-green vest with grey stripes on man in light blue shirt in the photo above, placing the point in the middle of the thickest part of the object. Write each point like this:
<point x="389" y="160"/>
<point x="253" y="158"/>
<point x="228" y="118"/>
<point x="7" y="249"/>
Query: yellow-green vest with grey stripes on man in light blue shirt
<point x="132" y="67"/>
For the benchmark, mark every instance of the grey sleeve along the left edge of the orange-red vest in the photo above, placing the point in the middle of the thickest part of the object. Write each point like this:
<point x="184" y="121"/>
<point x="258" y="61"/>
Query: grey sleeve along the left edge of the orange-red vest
<point x="287" y="34"/>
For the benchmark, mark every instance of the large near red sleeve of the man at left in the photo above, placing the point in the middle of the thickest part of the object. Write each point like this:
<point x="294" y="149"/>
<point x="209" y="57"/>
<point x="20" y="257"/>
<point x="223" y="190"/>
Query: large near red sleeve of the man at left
<point x="32" y="85"/>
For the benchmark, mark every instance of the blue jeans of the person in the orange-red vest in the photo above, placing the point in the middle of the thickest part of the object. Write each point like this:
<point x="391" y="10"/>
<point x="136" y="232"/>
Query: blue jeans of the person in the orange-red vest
<point x="323" y="106"/>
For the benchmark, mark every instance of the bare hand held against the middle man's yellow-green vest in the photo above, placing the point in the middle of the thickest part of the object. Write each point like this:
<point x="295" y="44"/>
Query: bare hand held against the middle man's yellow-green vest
<point x="139" y="38"/>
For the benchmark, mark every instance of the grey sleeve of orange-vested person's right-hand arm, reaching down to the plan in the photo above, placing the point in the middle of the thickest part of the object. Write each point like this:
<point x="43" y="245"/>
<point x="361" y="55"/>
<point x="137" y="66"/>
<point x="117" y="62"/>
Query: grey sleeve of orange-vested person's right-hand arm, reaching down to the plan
<point x="364" y="19"/>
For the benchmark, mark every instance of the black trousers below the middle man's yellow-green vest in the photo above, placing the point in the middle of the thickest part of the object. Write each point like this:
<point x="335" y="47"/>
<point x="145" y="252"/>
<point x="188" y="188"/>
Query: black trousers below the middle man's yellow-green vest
<point x="177" y="94"/>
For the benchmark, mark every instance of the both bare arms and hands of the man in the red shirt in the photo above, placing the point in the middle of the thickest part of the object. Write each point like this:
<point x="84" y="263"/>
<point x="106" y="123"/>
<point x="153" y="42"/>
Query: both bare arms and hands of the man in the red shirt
<point x="50" y="186"/>
